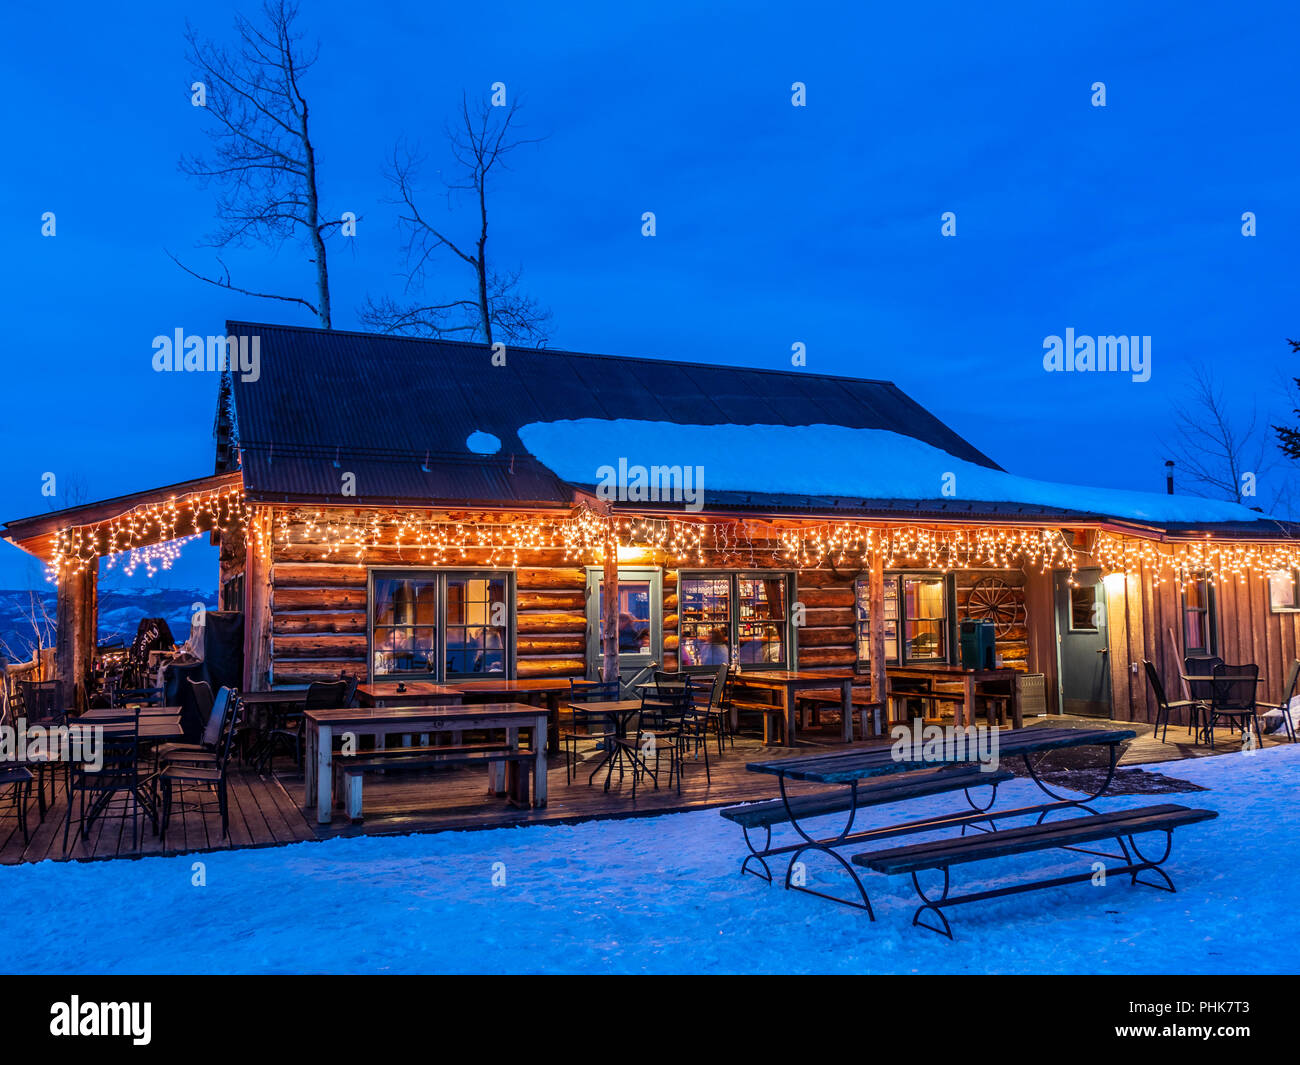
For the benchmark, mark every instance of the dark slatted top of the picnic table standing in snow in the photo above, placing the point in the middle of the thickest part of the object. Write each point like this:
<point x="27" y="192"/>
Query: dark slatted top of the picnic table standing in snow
<point x="878" y="761"/>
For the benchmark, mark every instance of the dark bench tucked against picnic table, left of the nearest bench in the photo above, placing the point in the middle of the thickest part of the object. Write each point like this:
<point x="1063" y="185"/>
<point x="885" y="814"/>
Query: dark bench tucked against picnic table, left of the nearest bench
<point x="879" y="793"/>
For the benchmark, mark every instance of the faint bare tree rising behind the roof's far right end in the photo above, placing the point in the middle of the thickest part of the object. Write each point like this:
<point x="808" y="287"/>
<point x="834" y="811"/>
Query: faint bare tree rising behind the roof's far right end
<point x="1219" y="454"/>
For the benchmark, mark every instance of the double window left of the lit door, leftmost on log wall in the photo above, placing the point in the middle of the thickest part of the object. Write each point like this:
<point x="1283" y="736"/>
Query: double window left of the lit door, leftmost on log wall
<point x="440" y="625"/>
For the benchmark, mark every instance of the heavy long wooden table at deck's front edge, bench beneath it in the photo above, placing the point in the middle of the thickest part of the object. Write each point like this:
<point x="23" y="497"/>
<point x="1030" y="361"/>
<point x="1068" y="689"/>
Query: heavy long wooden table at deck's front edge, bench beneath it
<point x="323" y="726"/>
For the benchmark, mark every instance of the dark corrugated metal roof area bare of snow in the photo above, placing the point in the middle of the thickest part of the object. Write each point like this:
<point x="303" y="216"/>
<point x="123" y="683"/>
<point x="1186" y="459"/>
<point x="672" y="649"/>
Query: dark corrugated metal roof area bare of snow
<point x="396" y="412"/>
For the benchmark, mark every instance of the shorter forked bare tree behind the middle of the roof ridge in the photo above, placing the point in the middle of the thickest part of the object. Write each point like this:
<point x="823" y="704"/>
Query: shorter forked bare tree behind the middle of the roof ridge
<point x="499" y="309"/>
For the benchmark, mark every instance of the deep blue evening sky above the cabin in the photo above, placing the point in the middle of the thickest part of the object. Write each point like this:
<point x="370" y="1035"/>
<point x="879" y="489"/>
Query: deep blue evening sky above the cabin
<point x="775" y="224"/>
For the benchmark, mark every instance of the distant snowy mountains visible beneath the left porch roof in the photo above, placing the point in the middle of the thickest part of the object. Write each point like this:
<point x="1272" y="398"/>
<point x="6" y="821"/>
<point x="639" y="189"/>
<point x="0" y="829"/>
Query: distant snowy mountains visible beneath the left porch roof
<point x="120" y="614"/>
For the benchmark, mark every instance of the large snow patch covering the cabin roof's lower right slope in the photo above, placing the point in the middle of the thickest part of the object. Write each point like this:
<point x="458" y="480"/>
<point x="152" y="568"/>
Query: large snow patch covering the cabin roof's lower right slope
<point x="835" y="461"/>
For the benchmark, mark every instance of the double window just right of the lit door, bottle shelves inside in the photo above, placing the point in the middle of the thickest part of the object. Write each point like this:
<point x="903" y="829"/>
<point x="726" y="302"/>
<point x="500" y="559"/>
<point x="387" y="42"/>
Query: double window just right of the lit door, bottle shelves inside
<point x="734" y="617"/>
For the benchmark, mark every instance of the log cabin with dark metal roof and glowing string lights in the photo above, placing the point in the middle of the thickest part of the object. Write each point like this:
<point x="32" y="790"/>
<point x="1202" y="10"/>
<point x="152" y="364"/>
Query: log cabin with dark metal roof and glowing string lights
<point x="400" y="508"/>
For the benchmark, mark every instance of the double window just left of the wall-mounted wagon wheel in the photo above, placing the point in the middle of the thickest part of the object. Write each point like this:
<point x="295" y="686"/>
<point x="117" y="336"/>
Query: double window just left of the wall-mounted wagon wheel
<point x="926" y="618"/>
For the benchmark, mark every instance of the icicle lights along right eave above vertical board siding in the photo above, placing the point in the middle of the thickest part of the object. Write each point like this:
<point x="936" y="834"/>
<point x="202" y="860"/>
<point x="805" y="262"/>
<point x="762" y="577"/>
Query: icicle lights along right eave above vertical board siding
<point x="1219" y="560"/>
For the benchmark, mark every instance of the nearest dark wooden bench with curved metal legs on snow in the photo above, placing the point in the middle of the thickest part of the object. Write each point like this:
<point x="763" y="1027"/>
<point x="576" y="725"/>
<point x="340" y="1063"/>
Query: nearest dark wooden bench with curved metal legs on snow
<point x="1120" y="826"/>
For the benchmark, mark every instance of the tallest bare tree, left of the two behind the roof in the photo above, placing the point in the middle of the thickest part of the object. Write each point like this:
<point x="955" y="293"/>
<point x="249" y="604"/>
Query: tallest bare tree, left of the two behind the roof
<point x="263" y="158"/>
